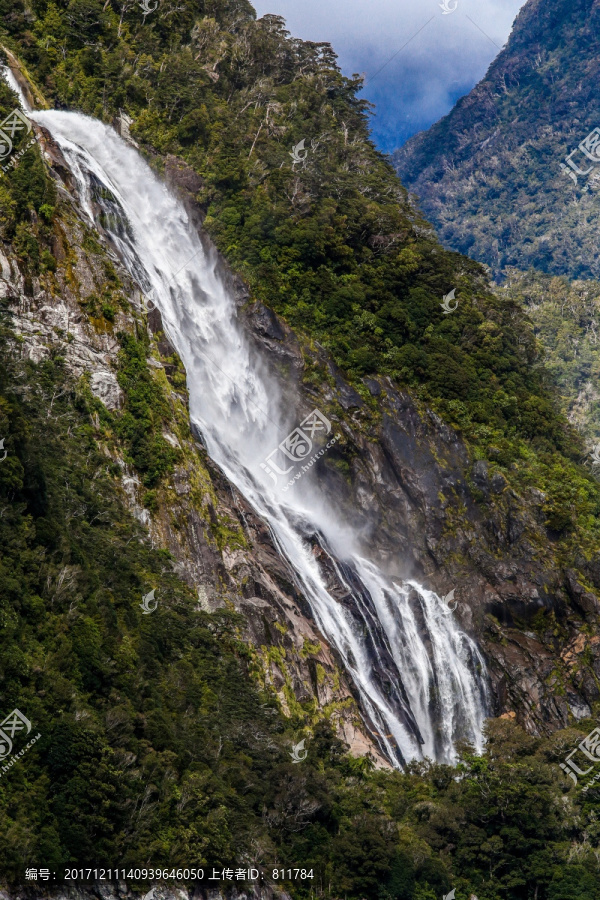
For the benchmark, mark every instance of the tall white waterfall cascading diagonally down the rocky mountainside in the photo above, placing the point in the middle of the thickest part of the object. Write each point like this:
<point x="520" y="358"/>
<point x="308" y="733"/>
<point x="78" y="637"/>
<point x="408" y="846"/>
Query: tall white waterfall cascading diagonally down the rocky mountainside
<point x="420" y="679"/>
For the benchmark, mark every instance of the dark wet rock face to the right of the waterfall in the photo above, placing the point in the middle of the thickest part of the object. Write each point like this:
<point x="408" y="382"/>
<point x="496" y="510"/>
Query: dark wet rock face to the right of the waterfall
<point x="431" y="512"/>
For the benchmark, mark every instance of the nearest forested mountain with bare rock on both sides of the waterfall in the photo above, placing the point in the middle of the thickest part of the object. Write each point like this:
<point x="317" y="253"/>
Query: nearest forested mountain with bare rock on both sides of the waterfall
<point x="222" y="727"/>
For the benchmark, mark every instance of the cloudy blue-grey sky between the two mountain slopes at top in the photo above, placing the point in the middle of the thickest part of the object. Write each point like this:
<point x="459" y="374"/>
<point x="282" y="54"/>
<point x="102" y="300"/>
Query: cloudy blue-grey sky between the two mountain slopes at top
<point x="437" y="65"/>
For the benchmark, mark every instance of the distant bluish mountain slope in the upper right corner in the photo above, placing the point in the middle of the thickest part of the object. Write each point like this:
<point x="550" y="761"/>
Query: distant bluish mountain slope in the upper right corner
<point x="489" y="175"/>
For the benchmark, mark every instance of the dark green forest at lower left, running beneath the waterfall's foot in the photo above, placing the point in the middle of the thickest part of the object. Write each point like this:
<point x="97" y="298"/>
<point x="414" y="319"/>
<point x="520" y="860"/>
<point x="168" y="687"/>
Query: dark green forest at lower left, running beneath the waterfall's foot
<point x="157" y="749"/>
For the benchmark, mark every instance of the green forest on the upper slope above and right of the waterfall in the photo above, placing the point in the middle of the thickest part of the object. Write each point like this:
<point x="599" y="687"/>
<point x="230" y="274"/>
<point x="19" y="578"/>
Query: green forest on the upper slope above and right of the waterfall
<point x="331" y="243"/>
